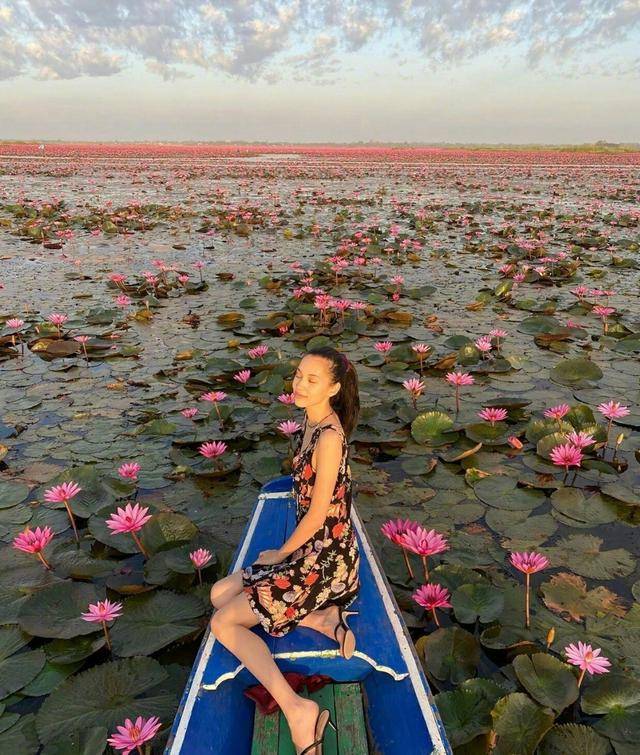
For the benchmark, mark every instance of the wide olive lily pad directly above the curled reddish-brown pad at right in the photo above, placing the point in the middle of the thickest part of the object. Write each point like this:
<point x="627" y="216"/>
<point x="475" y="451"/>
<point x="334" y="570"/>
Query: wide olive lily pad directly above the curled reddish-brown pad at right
<point x="581" y="553"/>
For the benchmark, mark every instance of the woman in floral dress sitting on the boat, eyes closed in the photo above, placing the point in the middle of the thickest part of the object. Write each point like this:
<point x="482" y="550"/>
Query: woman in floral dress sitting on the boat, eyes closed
<point x="313" y="576"/>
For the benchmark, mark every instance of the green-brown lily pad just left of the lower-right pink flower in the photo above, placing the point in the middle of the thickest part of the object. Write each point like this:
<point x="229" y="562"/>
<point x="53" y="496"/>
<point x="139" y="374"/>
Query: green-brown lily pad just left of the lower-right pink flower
<point x="549" y="681"/>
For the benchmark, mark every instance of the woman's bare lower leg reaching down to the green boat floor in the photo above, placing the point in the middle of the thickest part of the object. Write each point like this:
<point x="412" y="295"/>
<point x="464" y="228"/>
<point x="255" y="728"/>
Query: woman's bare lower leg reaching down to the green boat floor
<point x="231" y="627"/>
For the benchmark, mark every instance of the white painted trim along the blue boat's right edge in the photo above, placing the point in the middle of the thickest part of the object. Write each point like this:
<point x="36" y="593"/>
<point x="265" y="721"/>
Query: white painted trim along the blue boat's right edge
<point x="409" y="657"/>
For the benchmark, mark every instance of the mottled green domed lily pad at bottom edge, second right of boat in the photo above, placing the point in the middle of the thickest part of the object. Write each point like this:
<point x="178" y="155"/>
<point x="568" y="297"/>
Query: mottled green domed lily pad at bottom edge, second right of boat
<point x="519" y="724"/>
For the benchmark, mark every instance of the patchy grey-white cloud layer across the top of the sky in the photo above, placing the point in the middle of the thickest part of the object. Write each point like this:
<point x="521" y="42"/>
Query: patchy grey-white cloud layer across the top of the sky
<point x="270" y="39"/>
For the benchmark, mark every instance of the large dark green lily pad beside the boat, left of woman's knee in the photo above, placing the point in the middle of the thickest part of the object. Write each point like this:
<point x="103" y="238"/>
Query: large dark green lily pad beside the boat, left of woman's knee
<point x="154" y="620"/>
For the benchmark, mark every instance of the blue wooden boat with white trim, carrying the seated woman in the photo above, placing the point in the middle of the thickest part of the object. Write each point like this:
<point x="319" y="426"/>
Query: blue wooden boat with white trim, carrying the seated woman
<point x="401" y="717"/>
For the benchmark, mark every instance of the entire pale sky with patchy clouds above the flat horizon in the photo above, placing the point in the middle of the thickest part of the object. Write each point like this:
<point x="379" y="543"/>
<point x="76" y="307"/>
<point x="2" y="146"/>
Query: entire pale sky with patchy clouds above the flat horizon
<point x="427" y="71"/>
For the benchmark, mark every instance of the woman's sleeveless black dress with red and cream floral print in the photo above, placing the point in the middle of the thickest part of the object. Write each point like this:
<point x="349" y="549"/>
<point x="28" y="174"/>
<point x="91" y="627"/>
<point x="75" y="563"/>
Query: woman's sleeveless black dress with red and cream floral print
<point x="324" y="570"/>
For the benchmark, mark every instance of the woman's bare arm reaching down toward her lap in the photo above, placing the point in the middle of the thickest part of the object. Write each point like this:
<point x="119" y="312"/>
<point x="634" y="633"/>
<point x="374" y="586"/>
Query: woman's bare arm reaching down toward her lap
<point x="329" y="455"/>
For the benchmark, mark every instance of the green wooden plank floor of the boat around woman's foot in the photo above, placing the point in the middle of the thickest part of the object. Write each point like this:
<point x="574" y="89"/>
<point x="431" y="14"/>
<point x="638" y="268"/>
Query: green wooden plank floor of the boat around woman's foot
<point x="271" y="734"/>
